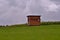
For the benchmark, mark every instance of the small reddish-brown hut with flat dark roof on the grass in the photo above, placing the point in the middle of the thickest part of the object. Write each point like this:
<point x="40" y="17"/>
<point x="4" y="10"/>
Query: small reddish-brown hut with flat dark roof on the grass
<point x="34" y="20"/>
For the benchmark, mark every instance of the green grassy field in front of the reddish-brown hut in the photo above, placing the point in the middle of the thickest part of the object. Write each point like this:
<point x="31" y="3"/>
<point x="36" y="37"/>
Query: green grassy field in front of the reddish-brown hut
<point x="24" y="32"/>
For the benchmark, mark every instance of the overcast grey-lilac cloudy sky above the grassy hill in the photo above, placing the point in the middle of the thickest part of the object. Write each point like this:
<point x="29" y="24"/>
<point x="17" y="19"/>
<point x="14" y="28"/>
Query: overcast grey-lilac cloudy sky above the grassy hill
<point x="15" y="11"/>
